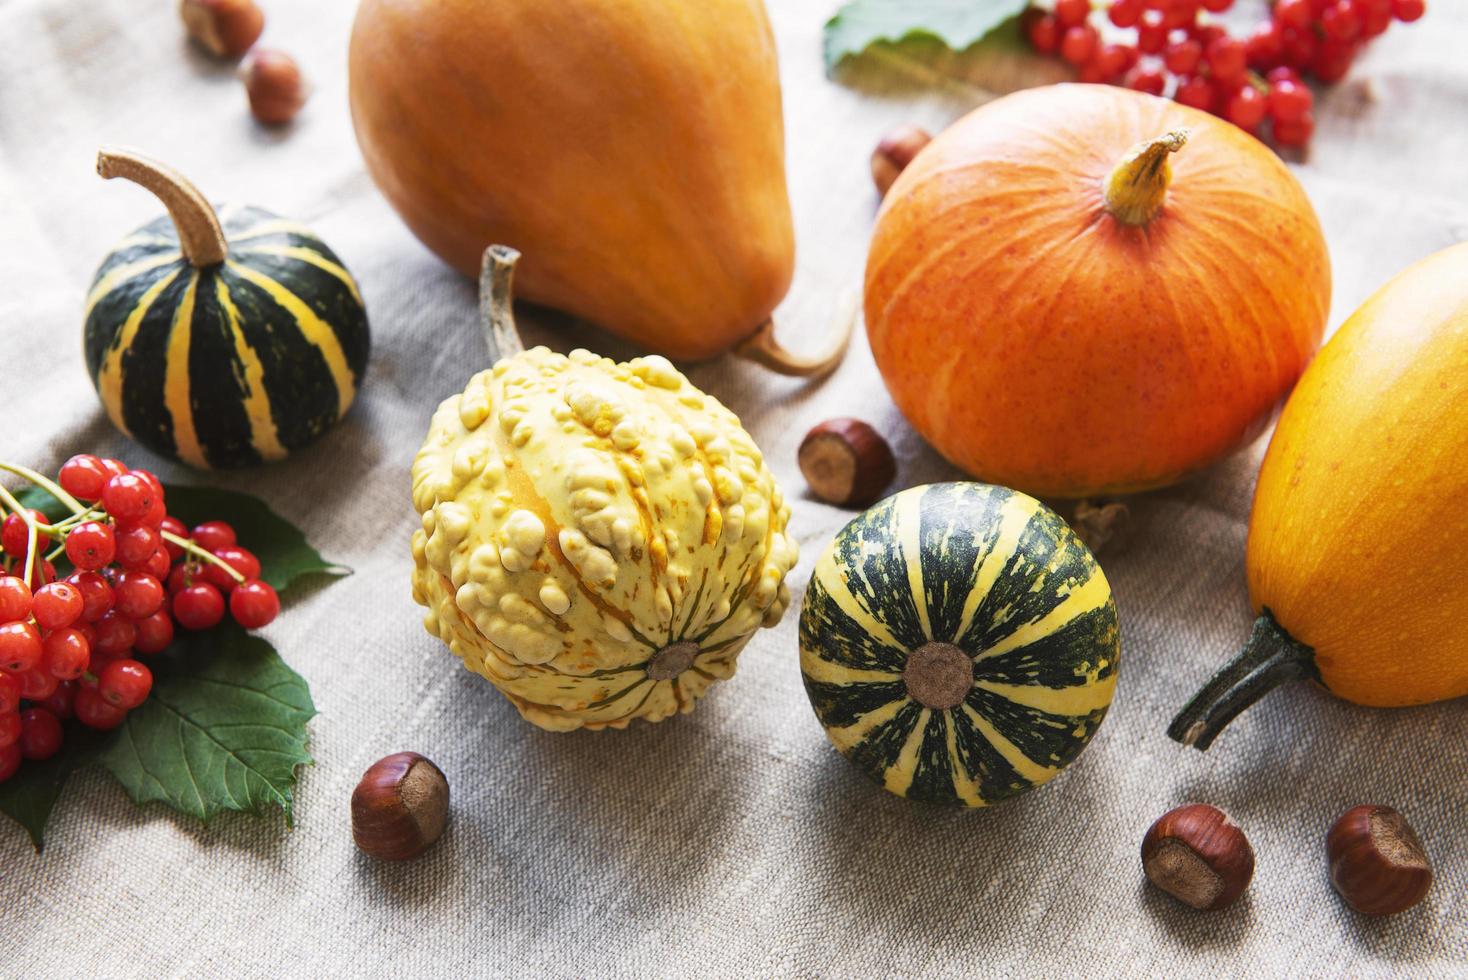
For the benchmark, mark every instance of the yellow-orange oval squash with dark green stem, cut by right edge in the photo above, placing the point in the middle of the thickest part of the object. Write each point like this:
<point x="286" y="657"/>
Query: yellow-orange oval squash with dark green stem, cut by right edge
<point x="1359" y="526"/>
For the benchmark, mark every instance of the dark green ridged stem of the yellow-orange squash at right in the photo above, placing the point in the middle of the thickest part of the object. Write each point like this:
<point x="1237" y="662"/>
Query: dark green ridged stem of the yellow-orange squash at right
<point x="1268" y="661"/>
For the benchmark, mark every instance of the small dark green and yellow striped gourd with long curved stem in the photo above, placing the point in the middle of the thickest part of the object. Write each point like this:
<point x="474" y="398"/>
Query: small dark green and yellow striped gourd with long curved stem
<point x="221" y="340"/>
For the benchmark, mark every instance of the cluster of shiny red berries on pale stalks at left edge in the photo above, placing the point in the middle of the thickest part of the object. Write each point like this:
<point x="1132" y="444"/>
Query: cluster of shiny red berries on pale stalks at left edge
<point x="70" y="646"/>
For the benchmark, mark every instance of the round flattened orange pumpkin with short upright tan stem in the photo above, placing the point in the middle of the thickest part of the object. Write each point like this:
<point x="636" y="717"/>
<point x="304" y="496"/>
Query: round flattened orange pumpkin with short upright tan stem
<point x="1084" y="290"/>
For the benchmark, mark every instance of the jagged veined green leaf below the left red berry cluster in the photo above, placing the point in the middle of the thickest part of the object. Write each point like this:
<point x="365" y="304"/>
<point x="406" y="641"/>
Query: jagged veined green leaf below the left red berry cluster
<point x="224" y="730"/>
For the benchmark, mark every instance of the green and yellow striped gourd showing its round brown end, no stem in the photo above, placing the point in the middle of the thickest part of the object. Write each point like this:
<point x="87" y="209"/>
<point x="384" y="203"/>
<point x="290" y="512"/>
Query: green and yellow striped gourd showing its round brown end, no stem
<point x="959" y="643"/>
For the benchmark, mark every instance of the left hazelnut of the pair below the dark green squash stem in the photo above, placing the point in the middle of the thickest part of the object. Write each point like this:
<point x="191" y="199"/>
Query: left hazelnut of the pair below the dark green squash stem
<point x="1199" y="856"/>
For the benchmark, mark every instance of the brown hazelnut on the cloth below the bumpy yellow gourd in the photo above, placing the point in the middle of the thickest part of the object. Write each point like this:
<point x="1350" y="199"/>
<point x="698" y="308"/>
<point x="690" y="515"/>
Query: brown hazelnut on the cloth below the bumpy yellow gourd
<point x="400" y="808"/>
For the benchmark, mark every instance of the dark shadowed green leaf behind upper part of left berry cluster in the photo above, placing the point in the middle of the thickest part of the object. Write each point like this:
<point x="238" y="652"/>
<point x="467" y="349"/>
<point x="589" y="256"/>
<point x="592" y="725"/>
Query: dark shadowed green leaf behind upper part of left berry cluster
<point x="283" y="549"/>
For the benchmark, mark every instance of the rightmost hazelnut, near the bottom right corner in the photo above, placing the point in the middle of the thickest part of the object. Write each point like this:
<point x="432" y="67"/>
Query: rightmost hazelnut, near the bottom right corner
<point x="1378" y="862"/>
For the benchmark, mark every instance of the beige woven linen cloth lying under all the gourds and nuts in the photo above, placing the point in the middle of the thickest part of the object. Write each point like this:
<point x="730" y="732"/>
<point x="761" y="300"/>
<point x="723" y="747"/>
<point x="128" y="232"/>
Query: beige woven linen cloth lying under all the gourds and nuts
<point x="733" y="841"/>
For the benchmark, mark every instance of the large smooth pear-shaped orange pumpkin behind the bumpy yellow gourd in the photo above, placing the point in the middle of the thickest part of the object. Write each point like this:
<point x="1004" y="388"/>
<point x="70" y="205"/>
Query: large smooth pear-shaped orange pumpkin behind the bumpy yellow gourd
<point x="632" y="150"/>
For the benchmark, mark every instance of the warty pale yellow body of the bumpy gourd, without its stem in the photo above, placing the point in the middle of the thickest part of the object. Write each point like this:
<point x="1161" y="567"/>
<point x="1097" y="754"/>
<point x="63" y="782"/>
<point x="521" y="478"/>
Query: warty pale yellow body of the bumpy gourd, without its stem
<point x="579" y="517"/>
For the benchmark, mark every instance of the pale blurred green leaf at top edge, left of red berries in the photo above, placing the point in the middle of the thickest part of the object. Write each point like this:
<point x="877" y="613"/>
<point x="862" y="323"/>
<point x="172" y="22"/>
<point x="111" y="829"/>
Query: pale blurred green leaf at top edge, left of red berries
<point x="959" y="24"/>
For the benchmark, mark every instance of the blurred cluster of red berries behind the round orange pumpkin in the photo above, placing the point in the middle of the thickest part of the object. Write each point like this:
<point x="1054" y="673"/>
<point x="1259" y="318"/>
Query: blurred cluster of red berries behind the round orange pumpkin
<point x="1249" y="81"/>
